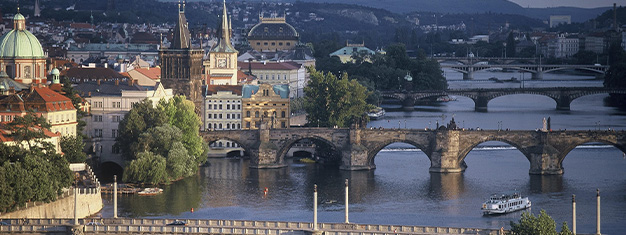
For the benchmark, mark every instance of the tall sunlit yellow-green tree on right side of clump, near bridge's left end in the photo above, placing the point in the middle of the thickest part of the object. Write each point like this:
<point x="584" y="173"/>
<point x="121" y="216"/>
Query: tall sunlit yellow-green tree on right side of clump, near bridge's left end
<point x="180" y="113"/>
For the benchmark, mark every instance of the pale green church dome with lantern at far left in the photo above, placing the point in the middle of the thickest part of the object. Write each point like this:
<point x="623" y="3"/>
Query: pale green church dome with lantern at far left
<point x="19" y="42"/>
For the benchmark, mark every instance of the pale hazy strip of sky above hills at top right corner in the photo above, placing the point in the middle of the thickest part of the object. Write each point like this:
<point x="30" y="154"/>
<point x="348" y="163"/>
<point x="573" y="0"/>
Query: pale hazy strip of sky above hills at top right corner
<point x="573" y="3"/>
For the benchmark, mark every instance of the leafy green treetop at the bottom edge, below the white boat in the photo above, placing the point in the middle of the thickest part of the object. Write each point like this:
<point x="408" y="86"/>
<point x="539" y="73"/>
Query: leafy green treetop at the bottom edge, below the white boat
<point x="542" y="224"/>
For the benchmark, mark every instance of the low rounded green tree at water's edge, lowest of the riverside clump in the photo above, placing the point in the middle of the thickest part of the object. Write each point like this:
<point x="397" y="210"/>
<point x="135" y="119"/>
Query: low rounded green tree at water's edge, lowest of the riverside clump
<point x="148" y="168"/>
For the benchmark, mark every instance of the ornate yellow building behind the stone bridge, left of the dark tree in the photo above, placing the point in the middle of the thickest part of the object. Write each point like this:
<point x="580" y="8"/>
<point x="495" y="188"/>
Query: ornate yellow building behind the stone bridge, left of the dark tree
<point x="265" y="103"/>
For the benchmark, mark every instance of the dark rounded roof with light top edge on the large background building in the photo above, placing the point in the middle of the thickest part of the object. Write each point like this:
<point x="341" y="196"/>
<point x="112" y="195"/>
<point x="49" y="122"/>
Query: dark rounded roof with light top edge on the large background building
<point x="273" y="29"/>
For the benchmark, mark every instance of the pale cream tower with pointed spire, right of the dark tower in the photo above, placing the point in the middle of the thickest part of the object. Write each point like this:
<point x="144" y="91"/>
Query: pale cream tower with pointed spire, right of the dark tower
<point x="223" y="56"/>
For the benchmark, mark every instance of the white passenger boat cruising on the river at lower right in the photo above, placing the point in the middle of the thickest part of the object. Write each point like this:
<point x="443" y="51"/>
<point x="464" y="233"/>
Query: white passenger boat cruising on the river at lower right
<point x="501" y="203"/>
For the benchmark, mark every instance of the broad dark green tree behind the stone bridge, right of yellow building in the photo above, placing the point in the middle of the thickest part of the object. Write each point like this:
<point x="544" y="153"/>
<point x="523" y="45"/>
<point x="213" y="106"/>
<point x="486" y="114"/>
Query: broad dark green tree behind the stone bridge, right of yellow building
<point x="334" y="102"/>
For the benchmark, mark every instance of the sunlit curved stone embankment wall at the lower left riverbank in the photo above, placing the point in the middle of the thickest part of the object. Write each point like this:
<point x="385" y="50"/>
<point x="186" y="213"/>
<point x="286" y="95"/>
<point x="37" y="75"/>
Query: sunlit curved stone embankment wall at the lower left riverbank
<point x="89" y="201"/>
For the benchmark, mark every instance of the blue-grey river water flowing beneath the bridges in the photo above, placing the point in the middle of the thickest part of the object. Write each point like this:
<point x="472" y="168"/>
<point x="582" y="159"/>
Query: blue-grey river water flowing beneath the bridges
<point x="402" y="191"/>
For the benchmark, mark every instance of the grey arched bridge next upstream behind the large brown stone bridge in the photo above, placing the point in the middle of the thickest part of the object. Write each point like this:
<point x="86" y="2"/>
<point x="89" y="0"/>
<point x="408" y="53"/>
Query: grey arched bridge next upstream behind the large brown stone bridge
<point x="481" y="97"/>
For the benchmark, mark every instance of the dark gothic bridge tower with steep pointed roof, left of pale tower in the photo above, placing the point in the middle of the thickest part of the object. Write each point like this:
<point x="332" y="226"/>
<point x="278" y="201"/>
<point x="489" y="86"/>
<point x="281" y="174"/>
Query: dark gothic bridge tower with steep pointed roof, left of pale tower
<point x="181" y="65"/>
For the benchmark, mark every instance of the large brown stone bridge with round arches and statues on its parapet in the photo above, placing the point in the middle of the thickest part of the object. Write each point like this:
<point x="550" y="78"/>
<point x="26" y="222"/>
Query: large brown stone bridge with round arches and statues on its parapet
<point x="445" y="148"/>
